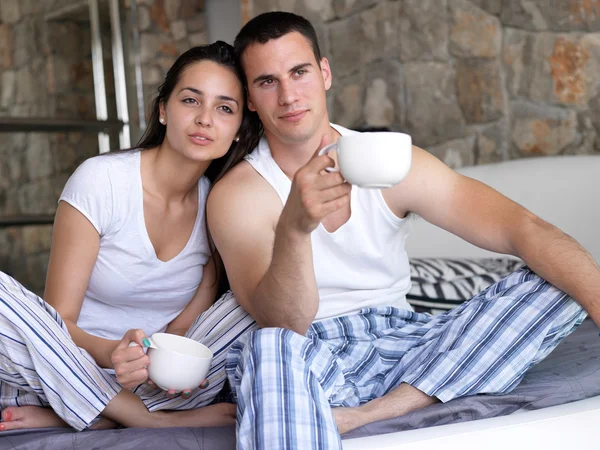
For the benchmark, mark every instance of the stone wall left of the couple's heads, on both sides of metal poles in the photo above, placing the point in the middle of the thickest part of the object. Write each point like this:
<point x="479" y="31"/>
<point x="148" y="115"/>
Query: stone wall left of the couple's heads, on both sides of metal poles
<point x="46" y="71"/>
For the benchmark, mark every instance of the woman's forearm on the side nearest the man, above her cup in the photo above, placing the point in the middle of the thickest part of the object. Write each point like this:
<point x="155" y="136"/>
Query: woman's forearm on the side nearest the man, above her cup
<point x="202" y="299"/>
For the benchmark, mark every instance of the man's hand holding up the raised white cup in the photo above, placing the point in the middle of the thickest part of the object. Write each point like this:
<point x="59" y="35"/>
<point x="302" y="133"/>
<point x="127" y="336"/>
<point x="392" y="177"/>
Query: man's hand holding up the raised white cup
<point x="315" y="194"/>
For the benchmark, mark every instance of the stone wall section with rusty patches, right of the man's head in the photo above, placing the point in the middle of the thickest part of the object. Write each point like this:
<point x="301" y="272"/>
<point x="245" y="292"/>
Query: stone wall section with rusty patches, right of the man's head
<point x="473" y="81"/>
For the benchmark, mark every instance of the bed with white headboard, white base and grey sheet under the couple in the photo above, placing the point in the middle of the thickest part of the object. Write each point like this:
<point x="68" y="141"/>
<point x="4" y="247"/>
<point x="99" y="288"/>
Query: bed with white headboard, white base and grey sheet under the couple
<point x="557" y="404"/>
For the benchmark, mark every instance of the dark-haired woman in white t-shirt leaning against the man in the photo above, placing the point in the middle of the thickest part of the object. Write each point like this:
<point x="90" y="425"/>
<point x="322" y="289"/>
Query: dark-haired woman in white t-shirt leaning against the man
<point x="130" y="257"/>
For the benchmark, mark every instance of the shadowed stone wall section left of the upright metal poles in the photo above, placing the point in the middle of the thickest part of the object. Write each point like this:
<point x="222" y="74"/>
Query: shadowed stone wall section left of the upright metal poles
<point x="43" y="73"/>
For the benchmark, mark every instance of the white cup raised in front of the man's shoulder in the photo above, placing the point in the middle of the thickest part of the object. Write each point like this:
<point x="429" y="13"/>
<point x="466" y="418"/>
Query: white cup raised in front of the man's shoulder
<point x="373" y="160"/>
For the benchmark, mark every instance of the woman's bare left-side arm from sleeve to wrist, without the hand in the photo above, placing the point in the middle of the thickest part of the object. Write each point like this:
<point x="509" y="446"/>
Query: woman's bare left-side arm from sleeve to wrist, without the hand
<point x="75" y="246"/>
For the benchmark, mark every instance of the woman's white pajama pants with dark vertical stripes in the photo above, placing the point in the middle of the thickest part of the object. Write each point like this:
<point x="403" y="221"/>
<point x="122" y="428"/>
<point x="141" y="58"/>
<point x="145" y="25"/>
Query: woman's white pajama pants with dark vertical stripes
<point x="41" y="365"/>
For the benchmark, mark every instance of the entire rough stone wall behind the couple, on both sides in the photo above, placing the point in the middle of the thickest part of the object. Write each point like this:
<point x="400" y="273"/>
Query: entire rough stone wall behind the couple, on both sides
<point x="473" y="81"/>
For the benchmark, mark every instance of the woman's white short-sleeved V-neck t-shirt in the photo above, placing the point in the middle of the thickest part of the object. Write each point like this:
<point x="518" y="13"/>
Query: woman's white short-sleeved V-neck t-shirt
<point x="129" y="286"/>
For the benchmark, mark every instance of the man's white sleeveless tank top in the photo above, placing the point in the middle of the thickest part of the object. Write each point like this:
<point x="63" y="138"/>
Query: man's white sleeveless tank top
<point x="363" y="264"/>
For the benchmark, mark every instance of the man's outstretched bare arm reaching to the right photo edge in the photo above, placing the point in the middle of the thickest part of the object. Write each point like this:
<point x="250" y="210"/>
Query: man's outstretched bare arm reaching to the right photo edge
<point x="486" y="218"/>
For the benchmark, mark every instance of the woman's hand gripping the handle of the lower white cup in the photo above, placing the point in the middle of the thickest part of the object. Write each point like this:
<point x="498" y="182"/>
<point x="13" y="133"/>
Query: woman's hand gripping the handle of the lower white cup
<point x="130" y="363"/>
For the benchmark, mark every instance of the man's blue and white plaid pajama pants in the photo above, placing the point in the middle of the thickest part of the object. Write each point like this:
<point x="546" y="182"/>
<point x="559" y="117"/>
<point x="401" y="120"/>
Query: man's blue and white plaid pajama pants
<point x="286" y="383"/>
